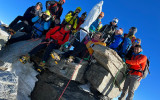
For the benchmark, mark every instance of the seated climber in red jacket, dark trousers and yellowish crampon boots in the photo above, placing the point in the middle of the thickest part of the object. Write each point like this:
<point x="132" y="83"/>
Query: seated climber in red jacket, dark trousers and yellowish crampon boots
<point x="54" y="39"/>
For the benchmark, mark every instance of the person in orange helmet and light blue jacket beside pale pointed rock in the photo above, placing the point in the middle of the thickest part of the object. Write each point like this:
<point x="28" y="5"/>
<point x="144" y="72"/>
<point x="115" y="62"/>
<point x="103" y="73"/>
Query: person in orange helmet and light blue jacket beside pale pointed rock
<point x="97" y="24"/>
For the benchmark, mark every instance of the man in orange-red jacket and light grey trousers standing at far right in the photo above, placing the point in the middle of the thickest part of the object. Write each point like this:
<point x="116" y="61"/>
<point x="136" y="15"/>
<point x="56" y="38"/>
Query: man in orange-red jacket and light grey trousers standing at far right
<point x="137" y="66"/>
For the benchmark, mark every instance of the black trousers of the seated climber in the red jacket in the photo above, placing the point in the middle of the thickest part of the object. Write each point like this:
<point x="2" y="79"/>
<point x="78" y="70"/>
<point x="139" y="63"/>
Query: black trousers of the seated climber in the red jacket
<point x="48" y="49"/>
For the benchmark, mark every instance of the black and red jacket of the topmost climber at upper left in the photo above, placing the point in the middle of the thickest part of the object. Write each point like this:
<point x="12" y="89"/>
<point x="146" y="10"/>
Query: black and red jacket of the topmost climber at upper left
<point x="55" y="9"/>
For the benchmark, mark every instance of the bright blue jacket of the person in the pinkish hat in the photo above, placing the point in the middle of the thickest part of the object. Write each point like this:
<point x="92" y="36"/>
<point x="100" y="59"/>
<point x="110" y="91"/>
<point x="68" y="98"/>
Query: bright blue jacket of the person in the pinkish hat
<point x="117" y="41"/>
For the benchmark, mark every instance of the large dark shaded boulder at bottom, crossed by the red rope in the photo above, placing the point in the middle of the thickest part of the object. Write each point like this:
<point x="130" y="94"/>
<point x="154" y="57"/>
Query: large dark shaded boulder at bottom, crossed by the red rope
<point x="50" y="87"/>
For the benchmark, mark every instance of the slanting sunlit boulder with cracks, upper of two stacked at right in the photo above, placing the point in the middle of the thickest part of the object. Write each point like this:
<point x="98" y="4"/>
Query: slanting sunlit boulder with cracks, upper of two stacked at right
<point x="111" y="61"/>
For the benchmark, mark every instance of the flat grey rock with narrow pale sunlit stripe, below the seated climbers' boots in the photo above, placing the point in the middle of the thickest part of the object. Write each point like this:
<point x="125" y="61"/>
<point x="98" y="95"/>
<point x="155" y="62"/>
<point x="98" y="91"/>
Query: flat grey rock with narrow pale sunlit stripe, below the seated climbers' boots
<point x="69" y="70"/>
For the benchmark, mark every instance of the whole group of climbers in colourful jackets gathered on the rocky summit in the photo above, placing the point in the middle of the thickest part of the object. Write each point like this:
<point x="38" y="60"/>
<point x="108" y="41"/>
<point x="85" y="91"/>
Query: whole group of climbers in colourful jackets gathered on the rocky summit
<point x="37" y="23"/>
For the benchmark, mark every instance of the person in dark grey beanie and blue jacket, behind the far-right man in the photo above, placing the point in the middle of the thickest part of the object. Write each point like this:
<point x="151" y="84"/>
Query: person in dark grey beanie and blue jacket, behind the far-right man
<point x="127" y="42"/>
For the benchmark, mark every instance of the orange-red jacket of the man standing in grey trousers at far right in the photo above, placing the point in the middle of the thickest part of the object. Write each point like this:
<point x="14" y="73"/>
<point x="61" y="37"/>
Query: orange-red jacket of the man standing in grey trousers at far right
<point x="135" y="63"/>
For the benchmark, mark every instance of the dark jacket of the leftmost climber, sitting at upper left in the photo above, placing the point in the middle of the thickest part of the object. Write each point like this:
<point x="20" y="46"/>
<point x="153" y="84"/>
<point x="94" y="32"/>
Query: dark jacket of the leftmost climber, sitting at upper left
<point x="30" y="13"/>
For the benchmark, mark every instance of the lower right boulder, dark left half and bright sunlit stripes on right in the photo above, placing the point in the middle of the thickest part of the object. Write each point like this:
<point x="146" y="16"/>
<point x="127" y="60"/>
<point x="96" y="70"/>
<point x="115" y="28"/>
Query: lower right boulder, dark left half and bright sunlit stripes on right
<point x="102" y="80"/>
